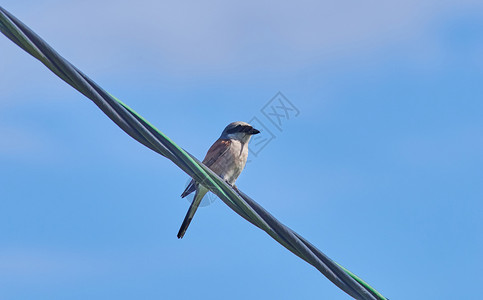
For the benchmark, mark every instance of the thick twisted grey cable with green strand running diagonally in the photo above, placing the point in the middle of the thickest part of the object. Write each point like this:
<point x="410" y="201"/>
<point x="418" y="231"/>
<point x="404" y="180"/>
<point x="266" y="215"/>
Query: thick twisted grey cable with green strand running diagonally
<point x="142" y="131"/>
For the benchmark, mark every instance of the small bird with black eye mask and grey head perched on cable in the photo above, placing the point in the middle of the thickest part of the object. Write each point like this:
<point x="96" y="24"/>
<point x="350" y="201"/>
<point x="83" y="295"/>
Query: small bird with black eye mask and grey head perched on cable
<point x="227" y="158"/>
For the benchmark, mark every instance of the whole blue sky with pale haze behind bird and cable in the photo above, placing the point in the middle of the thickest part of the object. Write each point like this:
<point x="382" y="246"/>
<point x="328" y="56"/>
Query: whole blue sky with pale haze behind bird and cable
<point x="382" y="169"/>
